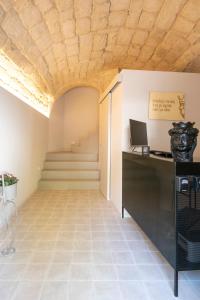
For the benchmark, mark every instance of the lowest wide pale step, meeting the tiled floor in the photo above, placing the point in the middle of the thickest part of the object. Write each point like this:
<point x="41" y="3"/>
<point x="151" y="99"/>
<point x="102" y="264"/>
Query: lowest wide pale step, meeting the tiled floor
<point x="55" y="184"/>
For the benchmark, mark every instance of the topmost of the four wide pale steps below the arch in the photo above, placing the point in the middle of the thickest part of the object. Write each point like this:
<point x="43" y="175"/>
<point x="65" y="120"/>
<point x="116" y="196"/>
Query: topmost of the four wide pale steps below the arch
<point x="70" y="156"/>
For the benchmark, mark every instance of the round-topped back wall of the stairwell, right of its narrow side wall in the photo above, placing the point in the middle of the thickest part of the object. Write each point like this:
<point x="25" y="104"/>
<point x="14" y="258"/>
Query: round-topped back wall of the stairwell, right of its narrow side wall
<point x="81" y="118"/>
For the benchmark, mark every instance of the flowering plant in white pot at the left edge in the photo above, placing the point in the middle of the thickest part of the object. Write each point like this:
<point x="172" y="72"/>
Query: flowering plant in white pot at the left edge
<point x="9" y="182"/>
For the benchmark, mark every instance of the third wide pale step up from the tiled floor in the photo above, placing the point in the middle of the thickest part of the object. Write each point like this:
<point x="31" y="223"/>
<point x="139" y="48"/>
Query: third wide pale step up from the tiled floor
<point x="70" y="165"/>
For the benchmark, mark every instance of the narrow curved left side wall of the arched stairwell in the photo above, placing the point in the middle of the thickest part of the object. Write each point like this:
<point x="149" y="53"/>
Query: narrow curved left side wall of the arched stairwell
<point x="56" y="126"/>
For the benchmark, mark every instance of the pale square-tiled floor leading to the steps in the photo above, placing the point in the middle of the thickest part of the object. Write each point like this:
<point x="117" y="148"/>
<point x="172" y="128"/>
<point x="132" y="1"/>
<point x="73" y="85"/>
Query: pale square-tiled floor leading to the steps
<point x="73" y="245"/>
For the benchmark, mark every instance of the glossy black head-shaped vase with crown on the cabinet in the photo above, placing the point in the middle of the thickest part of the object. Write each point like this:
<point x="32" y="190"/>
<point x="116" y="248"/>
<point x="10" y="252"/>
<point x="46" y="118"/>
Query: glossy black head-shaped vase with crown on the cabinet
<point x="183" y="141"/>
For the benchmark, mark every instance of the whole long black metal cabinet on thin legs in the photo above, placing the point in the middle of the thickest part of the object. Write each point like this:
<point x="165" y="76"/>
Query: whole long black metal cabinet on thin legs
<point x="163" y="197"/>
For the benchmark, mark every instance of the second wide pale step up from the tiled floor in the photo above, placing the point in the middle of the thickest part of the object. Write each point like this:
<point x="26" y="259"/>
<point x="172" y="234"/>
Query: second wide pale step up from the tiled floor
<point x="71" y="174"/>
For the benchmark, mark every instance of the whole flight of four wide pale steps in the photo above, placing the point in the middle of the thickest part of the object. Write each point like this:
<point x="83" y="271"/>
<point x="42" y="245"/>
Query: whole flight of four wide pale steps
<point x="70" y="171"/>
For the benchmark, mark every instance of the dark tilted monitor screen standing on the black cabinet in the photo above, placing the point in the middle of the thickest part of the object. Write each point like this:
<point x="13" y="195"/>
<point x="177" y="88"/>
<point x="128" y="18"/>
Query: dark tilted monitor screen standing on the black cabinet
<point x="138" y="133"/>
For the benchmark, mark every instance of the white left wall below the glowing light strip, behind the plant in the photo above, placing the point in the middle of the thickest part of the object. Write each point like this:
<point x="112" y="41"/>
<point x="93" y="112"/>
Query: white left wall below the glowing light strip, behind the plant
<point x="23" y="136"/>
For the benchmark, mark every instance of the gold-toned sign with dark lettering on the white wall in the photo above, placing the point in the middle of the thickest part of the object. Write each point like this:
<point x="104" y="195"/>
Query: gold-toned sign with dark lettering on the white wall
<point x="167" y="106"/>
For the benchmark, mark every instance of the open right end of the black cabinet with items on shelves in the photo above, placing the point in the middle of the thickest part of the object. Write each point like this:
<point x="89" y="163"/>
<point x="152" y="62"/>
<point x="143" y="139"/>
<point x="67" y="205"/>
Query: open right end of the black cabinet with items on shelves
<point x="187" y="219"/>
